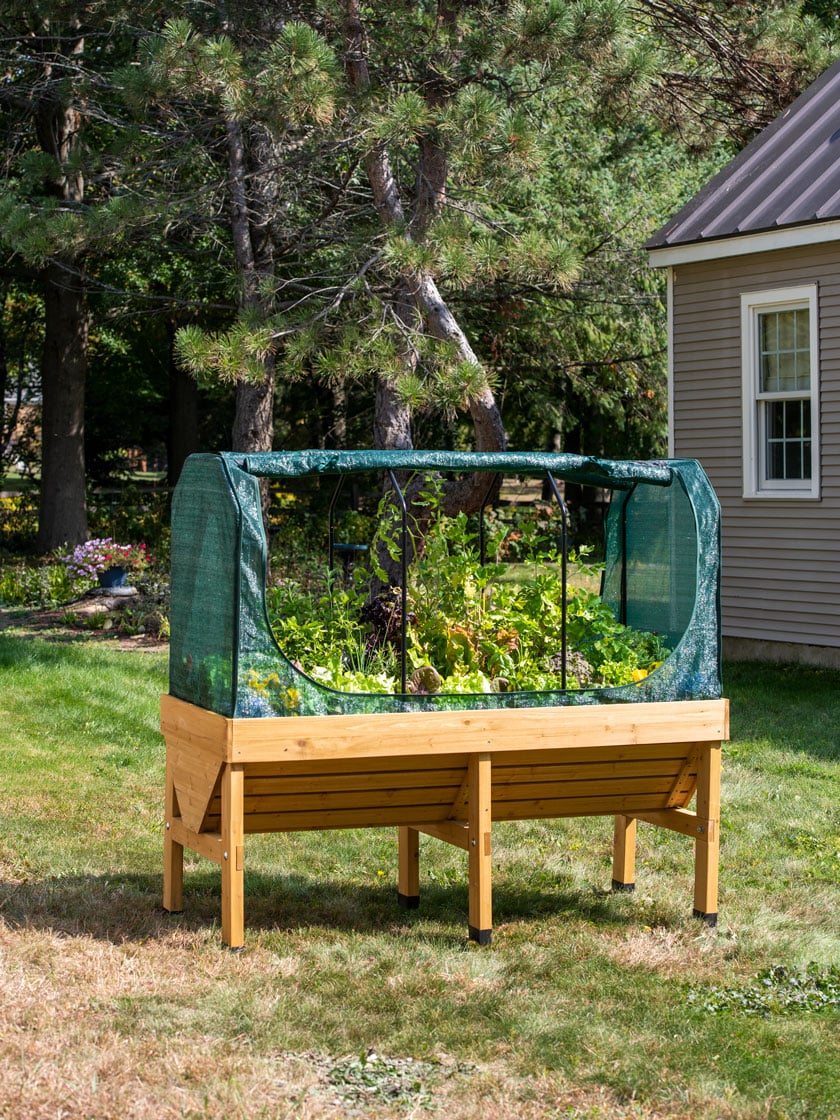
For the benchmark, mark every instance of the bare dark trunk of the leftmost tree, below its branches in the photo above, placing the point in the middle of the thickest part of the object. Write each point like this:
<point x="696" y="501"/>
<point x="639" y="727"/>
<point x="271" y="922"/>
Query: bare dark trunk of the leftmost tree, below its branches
<point x="63" y="515"/>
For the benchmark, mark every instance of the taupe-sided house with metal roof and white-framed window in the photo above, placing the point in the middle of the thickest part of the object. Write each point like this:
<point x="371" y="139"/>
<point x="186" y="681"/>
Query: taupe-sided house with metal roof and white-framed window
<point x="754" y="375"/>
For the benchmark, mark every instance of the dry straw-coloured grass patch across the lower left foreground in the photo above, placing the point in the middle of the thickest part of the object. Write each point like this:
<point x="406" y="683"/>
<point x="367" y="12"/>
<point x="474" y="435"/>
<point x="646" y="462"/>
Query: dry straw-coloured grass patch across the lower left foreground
<point x="69" y="1049"/>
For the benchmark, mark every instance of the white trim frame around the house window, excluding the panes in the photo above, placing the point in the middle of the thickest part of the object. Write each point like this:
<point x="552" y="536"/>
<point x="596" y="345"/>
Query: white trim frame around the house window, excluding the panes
<point x="752" y="305"/>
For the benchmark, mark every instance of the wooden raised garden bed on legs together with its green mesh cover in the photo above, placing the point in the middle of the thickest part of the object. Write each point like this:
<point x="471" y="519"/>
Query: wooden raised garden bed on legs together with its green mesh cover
<point x="304" y="757"/>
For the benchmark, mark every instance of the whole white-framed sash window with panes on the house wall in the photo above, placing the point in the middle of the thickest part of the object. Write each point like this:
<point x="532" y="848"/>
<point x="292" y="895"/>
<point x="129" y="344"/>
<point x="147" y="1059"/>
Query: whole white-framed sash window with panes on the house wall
<point x="781" y="398"/>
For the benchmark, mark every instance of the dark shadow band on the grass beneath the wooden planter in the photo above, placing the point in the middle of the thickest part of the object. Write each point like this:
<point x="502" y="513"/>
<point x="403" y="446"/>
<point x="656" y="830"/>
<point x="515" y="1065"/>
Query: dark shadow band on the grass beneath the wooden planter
<point x="122" y="909"/>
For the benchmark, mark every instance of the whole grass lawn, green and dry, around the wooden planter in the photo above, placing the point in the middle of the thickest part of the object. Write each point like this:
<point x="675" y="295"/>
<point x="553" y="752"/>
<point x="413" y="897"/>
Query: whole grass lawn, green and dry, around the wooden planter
<point x="587" y="1005"/>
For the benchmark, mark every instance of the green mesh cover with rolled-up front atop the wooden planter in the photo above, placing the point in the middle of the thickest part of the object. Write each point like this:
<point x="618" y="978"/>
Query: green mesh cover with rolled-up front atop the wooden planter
<point x="662" y="574"/>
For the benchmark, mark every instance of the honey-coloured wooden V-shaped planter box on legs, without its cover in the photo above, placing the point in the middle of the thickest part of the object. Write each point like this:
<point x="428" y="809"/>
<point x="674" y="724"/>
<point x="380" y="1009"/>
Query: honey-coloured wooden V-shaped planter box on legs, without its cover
<point x="447" y="774"/>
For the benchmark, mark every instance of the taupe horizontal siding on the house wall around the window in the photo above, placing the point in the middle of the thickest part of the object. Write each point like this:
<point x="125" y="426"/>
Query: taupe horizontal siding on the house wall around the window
<point x="781" y="574"/>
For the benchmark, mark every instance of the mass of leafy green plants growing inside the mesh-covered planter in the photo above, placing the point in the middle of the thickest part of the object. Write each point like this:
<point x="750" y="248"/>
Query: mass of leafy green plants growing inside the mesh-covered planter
<point x="470" y="627"/>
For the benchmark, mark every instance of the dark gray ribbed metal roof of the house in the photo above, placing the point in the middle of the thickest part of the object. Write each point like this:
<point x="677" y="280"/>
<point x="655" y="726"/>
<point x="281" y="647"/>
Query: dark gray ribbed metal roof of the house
<point x="789" y="175"/>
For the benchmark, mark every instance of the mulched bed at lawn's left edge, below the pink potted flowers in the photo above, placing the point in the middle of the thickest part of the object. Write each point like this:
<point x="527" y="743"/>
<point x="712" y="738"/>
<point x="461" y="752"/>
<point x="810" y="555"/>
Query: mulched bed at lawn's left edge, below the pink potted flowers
<point x="124" y="622"/>
